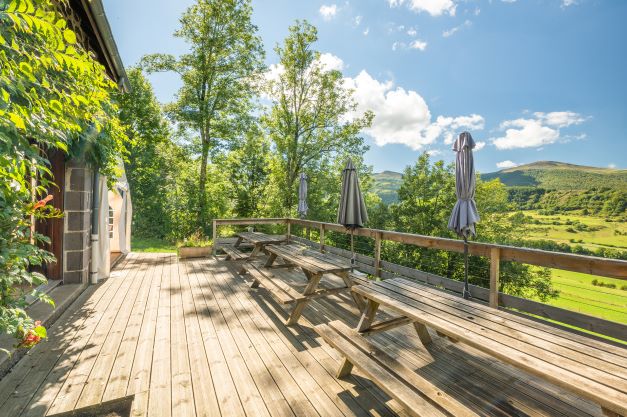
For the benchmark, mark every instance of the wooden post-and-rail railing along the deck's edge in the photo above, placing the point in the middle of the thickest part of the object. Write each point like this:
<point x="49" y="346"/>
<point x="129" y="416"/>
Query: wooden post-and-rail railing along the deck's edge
<point x="613" y="268"/>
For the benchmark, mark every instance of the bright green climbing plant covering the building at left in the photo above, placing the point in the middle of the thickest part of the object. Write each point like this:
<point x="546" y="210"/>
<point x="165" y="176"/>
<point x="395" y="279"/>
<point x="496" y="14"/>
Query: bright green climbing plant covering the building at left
<point x="53" y="95"/>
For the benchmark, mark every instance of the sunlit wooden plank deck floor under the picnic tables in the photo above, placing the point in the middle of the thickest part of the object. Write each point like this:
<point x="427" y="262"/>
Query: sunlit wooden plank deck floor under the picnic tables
<point x="190" y="338"/>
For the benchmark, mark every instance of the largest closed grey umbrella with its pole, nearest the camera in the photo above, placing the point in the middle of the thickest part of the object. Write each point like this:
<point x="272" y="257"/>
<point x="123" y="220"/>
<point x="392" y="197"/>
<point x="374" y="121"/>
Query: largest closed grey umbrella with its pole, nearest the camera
<point x="465" y="214"/>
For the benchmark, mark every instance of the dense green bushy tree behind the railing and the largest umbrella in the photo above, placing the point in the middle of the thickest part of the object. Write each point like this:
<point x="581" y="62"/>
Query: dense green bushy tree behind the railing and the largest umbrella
<point x="426" y="197"/>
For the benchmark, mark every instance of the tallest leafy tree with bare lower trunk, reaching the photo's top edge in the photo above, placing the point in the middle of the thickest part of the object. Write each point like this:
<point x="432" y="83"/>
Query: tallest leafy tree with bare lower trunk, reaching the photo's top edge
<point x="218" y="75"/>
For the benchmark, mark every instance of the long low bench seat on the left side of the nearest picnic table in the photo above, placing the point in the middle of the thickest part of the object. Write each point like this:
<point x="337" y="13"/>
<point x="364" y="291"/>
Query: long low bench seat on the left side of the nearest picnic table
<point x="416" y="394"/>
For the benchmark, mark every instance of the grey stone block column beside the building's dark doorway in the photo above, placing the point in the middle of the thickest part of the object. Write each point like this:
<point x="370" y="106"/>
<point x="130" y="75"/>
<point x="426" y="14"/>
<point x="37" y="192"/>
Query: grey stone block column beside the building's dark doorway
<point x="77" y="222"/>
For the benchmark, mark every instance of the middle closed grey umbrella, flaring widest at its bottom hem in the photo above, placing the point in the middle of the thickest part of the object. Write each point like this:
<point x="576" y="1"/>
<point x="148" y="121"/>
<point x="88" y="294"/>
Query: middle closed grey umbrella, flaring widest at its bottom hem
<point x="352" y="211"/>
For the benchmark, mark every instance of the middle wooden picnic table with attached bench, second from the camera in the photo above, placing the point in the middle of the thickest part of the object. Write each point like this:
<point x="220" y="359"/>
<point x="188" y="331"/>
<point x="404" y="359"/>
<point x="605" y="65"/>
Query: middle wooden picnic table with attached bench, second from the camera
<point x="313" y="264"/>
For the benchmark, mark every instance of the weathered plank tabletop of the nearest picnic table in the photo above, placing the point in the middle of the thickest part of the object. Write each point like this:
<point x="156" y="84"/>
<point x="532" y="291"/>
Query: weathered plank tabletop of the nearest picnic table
<point x="592" y="369"/>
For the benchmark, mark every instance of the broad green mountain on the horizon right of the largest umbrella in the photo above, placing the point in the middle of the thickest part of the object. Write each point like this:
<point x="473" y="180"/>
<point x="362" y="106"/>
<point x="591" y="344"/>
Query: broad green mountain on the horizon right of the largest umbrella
<point x="552" y="175"/>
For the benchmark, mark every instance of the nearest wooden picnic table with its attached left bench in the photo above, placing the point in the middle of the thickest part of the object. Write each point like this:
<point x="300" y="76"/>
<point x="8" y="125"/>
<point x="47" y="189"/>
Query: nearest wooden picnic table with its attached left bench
<point x="590" y="368"/>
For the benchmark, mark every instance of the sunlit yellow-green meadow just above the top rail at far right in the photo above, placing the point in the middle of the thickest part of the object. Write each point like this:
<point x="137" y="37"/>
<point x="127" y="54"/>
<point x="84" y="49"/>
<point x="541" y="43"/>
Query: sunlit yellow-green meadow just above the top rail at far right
<point x="596" y="231"/>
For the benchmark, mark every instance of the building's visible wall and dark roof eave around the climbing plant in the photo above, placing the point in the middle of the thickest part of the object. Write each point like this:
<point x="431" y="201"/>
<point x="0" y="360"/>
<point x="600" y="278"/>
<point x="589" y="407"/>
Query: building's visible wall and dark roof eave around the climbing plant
<point x="95" y="227"/>
